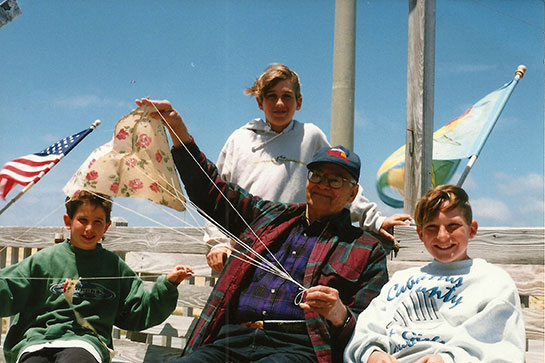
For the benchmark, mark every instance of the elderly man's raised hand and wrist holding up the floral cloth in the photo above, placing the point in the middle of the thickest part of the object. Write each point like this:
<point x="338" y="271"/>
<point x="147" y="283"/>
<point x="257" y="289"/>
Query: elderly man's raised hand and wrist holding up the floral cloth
<point x="175" y="124"/>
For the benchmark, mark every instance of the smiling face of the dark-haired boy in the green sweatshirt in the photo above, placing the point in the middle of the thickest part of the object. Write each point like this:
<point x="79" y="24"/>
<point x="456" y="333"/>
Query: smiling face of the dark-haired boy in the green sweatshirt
<point x="87" y="226"/>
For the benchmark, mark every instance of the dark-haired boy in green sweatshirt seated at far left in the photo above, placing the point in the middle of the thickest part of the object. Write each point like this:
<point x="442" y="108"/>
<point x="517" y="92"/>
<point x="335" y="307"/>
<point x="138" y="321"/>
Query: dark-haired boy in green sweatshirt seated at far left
<point x="69" y="296"/>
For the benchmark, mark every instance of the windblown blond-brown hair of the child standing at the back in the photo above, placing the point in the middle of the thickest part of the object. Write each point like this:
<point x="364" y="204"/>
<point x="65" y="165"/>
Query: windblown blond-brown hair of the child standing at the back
<point x="274" y="73"/>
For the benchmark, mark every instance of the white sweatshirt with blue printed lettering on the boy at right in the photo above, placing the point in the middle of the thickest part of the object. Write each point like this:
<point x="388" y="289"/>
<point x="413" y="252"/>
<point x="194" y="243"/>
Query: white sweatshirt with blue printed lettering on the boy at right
<point x="466" y="311"/>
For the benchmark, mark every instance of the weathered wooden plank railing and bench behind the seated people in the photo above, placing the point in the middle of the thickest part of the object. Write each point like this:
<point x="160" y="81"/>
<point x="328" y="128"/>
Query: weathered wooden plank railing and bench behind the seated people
<point x="155" y="250"/>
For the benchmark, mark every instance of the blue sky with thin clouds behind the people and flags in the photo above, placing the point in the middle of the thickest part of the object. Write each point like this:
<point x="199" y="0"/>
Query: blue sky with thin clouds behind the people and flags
<point x="68" y="63"/>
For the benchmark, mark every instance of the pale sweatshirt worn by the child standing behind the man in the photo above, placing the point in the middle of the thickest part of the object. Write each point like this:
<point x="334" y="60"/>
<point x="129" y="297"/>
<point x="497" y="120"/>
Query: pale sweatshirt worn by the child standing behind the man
<point x="272" y="166"/>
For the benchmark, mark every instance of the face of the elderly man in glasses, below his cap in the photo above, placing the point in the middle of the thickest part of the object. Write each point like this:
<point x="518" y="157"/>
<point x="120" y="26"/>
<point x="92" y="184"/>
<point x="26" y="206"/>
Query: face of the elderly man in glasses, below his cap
<point x="324" y="201"/>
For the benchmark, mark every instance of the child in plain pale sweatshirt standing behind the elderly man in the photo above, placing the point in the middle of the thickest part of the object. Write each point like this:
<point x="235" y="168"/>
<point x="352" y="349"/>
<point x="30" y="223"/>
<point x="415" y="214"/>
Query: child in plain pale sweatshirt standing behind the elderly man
<point x="268" y="157"/>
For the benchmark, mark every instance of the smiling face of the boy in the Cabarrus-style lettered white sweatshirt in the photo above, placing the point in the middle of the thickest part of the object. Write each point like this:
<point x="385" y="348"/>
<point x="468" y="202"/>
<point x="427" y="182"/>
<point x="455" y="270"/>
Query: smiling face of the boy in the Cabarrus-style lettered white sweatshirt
<point x="447" y="234"/>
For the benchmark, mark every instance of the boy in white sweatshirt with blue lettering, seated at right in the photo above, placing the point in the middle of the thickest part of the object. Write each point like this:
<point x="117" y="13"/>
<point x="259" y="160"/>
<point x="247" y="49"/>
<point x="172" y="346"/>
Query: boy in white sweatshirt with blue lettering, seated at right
<point x="455" y="309"/>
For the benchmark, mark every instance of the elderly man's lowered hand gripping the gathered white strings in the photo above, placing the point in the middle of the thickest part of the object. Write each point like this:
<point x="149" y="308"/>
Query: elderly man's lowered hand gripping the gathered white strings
<point x="325" y="301"/>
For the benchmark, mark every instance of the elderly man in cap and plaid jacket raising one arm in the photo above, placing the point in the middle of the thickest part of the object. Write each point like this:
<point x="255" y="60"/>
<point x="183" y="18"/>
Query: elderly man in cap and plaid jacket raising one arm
<point x="253" y="315"/>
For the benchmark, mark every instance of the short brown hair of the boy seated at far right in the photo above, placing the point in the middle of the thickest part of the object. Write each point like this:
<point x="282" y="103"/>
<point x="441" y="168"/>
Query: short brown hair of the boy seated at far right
<point x="443" y="197"/>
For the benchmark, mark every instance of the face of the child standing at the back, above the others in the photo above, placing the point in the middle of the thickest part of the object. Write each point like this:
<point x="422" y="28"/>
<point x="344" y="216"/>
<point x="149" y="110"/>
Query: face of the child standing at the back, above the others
<point x="279" y="104"/>
